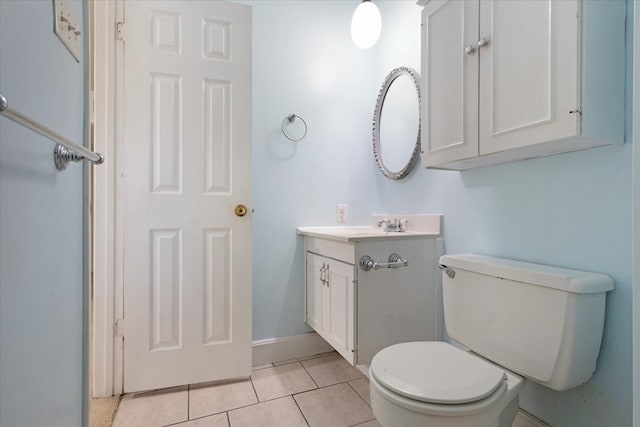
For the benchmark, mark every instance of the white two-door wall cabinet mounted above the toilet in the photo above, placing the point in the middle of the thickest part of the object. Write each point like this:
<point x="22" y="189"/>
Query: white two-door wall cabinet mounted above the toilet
<point x="507" y="80"/>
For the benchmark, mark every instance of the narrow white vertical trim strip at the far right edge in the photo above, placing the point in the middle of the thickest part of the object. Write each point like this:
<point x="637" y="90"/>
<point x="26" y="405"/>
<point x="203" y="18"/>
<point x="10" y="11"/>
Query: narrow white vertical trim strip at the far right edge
<point x="636" y="217"/>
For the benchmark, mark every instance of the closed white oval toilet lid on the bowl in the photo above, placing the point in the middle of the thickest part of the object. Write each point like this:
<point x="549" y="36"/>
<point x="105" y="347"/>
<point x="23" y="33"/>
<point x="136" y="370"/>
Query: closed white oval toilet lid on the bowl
<point x="435" y="372"/>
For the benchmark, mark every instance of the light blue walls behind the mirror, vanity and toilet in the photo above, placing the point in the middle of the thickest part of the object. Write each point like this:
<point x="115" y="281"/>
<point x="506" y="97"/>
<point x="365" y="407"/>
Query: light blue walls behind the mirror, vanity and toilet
<point x="571" y="210"/>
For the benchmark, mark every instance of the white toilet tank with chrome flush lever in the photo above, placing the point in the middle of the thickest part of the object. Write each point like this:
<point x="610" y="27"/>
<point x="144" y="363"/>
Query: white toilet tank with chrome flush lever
<point x="540" y="321"/>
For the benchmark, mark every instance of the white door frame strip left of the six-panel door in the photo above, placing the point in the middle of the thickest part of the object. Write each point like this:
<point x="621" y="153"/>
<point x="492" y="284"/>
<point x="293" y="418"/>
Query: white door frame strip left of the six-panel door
<point x="107" y="239"/>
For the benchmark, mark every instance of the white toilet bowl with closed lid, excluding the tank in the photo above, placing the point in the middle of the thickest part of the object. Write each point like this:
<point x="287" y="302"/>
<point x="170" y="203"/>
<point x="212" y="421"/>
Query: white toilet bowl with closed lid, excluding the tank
<point x="435" y="384"/>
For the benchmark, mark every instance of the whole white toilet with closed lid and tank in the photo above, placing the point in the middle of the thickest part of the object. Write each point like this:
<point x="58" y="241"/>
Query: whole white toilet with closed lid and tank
<point x="517" y="319"/>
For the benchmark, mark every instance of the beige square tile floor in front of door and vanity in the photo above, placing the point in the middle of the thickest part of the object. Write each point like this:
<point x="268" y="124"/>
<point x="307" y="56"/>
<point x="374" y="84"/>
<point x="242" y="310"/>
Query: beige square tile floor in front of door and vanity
<point x="317" y="391"/>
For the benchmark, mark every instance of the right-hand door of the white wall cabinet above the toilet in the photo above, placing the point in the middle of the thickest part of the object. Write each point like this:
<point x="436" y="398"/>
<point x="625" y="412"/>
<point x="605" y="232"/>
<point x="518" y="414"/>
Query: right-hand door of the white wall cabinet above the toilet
<point x="529" y="79"/>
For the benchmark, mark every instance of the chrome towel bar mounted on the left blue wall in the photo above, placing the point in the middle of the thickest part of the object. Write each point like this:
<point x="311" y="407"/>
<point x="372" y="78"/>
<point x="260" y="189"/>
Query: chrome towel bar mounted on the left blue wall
<point x="65" y="150"/>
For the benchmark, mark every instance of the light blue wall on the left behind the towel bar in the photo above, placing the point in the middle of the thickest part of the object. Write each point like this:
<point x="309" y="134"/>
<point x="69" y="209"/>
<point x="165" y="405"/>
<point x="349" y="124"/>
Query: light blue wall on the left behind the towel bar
<point x="41" y="241"/>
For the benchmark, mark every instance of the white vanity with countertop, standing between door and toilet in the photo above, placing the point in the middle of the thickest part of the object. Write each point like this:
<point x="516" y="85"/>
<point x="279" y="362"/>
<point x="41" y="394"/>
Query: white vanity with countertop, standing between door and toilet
<point x="361" y="309"/>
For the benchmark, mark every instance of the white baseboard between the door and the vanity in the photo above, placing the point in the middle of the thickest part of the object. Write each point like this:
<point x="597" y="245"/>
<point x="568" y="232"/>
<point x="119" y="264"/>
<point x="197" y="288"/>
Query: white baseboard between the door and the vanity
<point x="291" y="347"/>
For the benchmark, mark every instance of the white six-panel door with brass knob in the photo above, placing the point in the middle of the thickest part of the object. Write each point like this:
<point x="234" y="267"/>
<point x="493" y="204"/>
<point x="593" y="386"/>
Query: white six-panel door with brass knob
<point x="187" y="165"/>
